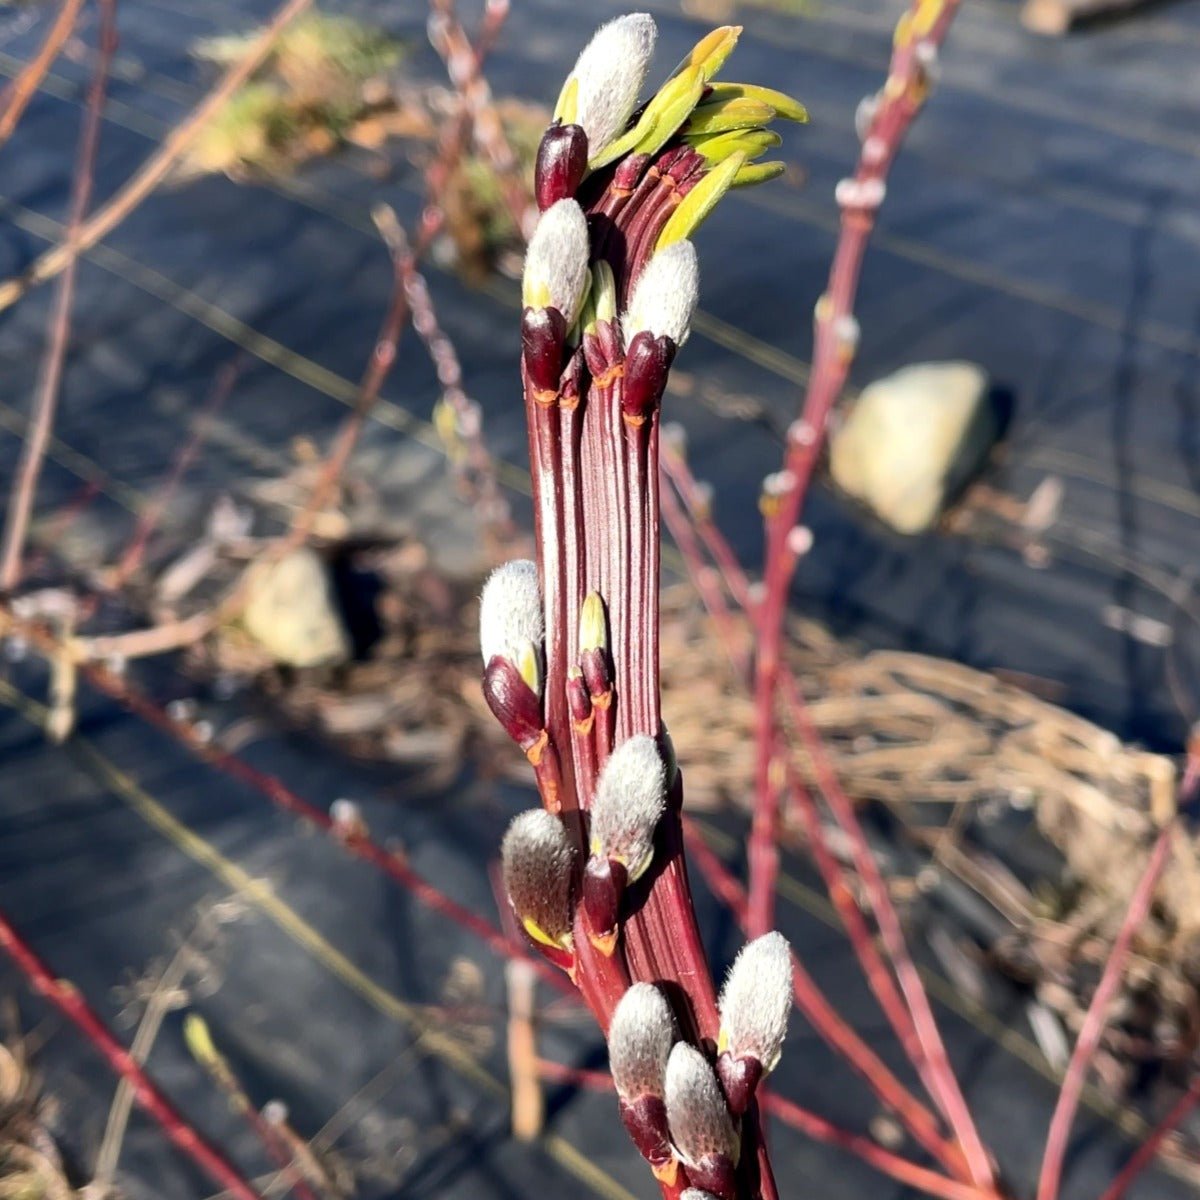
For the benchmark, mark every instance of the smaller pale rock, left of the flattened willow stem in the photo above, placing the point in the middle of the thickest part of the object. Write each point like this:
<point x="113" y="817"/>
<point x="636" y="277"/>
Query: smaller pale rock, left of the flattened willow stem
<point x="291" y="611"/>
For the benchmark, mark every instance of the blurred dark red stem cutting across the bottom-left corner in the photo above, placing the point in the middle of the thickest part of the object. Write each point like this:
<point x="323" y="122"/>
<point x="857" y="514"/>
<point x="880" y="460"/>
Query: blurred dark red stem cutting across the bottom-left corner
<point x="69" y="1001"/>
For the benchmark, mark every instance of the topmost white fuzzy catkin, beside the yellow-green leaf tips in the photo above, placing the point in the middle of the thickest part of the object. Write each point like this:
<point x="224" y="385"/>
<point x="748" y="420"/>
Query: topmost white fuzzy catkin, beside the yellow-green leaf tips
<point x="610" y="74"/>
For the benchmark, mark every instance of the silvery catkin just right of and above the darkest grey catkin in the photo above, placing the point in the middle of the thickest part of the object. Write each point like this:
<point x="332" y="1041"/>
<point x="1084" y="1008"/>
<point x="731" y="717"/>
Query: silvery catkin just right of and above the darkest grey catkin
<point x="629" y="802"/>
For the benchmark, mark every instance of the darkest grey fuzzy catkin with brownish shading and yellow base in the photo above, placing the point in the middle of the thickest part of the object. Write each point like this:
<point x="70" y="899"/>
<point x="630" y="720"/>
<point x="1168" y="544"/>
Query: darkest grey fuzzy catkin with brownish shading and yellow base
<point x="536" y="861"/>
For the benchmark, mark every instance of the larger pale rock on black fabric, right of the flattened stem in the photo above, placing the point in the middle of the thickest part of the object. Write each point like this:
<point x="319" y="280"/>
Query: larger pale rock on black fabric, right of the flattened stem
<point x="913" y="440"/>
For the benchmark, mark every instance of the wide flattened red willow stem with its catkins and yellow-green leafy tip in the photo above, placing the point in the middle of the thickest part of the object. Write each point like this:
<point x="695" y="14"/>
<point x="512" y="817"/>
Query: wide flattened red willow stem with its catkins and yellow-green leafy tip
<point x="572" y="644"/>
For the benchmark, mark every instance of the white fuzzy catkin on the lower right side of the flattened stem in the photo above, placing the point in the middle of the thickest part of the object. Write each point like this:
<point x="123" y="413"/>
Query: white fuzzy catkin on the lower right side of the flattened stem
<point x="757" y="1001"/>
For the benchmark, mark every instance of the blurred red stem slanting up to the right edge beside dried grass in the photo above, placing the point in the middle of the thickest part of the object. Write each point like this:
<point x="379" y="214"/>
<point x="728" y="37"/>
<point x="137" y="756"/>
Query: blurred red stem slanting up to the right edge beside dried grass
<point x="1097" y="1017"/>
